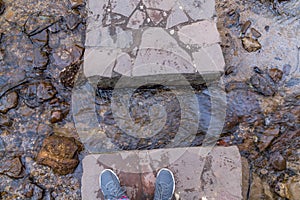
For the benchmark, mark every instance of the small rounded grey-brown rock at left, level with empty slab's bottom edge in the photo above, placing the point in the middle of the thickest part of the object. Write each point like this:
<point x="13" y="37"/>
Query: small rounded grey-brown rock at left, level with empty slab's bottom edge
<point x="45" y="91"/>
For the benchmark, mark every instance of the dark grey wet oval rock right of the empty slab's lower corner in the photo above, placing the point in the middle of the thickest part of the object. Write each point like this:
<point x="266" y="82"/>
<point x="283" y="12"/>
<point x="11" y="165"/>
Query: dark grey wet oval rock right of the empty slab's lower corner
<point x="262" y="85"/>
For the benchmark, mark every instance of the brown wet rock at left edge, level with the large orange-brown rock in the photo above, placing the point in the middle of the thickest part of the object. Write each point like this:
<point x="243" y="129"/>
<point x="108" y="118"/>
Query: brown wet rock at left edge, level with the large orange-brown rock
<point x="12" y="168"/>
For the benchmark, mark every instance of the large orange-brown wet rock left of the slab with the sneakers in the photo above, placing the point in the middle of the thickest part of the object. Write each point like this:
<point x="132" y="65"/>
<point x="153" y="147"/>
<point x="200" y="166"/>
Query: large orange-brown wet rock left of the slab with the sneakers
<point x="59" y="153"/>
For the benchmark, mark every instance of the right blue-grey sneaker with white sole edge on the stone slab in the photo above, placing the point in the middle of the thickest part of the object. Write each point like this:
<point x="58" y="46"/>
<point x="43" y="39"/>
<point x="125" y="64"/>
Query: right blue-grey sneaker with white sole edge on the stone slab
<point x="164" y="185"/>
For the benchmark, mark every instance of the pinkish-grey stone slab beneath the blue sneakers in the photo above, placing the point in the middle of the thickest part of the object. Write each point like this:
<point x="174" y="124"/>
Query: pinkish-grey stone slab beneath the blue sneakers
<point x="218" y="176"/>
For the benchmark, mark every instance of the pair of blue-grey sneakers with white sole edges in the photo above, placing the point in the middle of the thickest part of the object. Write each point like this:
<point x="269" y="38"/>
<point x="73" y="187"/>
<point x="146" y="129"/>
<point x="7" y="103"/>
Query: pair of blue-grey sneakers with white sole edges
<point x="112" y="190"/>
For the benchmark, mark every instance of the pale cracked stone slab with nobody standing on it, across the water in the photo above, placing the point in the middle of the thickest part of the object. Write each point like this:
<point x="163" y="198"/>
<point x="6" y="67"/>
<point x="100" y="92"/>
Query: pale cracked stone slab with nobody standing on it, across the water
<point x="157" y="37"/>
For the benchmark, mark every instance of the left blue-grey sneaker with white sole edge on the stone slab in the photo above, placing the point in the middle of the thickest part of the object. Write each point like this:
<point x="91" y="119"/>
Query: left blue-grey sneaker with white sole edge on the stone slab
<point x="110" y="185"/>
